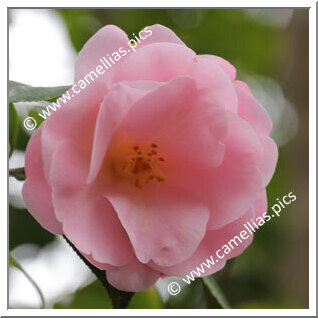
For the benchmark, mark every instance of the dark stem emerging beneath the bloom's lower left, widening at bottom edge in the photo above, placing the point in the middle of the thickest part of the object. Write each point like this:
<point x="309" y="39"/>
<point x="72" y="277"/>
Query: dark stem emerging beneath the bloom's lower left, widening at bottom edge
<point x="120" y="299"/>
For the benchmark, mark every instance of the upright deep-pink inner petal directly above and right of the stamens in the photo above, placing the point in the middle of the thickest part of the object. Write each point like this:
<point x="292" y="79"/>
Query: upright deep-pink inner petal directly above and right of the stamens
<point x="183" y="121"/>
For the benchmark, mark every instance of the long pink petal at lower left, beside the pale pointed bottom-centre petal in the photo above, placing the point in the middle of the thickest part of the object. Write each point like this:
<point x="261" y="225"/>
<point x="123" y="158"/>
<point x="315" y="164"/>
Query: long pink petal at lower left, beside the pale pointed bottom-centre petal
<point x="89" y="220"/>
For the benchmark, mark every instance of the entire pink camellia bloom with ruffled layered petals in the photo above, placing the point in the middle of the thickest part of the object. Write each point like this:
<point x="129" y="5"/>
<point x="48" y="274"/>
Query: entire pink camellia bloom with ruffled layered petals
<point x="154" y="166"/>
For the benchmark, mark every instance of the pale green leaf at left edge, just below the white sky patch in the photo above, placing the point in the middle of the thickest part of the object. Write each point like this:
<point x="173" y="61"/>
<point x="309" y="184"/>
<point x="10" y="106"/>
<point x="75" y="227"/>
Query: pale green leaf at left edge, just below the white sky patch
<point x="19" y="92"/>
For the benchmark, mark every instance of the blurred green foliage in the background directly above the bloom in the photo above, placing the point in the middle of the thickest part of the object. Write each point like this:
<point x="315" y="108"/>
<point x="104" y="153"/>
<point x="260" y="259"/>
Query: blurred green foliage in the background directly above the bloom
<point x="225" y="32"/>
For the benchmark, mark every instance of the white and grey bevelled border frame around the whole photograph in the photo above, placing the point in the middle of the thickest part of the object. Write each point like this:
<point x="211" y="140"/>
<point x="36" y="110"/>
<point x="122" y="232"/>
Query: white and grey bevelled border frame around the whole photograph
<point x="312" y="164"/>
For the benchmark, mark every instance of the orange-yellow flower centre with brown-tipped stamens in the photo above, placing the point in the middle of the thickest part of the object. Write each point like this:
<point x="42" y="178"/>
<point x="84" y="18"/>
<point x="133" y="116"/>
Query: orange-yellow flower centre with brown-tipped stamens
<point x="139" y="163"/>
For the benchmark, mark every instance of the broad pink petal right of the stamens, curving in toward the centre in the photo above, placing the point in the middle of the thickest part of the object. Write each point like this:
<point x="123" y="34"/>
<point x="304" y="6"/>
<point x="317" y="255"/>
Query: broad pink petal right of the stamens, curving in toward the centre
<point x="230" y="188"/>
